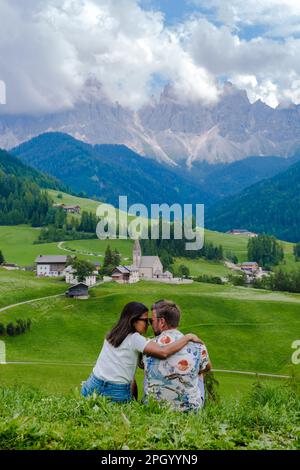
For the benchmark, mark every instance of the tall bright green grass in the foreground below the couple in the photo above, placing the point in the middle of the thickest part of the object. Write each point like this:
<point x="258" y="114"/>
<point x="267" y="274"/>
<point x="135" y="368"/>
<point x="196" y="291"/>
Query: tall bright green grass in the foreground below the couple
<point x="267" y="418"/>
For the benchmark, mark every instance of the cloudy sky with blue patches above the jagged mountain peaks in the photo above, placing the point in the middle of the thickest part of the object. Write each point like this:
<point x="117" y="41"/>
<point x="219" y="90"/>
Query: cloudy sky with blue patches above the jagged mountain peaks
<point x="49" y="49"/>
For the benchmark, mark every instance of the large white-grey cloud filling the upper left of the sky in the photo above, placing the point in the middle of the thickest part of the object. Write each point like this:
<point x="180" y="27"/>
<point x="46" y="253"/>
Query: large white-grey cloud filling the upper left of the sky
<point x="48" y="49"/>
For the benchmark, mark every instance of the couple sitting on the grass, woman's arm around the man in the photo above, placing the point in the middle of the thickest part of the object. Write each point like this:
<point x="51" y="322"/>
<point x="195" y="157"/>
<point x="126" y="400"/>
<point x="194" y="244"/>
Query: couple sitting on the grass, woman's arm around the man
<point x="174" y="363"/>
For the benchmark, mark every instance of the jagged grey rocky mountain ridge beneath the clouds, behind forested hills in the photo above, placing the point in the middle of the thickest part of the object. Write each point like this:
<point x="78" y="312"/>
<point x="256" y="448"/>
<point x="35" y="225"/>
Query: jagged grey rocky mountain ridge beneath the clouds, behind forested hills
<point x="170" y="130"/>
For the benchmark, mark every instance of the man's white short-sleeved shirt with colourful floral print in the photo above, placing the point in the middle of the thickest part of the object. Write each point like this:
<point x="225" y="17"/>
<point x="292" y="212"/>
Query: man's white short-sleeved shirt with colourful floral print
<point x="176" y="379"/>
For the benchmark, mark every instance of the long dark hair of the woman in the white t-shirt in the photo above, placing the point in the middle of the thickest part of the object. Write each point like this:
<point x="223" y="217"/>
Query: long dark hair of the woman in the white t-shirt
<point x="130" y="314"/>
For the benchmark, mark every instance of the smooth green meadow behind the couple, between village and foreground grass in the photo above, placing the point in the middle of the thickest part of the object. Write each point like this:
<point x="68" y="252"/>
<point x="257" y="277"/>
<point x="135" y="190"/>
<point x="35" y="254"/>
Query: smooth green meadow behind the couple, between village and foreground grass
<point x="244" y="329"/>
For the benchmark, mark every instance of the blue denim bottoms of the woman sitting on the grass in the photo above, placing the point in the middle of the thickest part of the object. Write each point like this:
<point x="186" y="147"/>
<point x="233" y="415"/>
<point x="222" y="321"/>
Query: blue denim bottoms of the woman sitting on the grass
<point x="119" y="393"/>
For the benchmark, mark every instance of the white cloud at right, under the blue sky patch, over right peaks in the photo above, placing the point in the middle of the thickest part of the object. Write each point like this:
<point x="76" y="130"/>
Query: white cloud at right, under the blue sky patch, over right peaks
<point x="273" y="65"/>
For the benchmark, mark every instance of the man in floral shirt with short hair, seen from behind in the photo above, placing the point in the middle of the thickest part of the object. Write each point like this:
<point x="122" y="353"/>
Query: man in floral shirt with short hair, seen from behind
<point x="179" y="378"/>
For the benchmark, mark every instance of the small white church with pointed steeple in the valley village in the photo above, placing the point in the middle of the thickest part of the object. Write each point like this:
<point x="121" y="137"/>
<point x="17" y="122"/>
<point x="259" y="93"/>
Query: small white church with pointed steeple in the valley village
<point x="143" y="267"/>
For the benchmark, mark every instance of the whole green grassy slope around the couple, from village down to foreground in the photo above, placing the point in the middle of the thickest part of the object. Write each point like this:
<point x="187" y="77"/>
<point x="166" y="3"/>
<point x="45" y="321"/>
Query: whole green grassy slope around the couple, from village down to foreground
<point x="244" y="329"/>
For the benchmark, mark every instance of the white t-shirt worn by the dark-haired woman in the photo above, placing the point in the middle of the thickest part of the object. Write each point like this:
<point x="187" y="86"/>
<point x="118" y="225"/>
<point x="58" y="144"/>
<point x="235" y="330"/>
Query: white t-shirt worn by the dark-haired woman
<point x="118" y="365"/>
